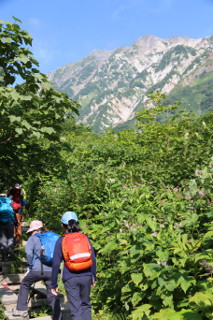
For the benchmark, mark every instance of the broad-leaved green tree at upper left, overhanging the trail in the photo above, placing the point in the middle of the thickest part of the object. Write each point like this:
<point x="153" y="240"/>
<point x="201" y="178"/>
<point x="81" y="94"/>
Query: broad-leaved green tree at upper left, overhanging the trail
<point x="31" y="113"/>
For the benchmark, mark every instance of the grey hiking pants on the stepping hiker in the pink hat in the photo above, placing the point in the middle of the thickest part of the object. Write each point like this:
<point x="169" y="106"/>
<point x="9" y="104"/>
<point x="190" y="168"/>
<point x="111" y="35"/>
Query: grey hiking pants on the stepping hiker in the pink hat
<point x="30" y="278"/>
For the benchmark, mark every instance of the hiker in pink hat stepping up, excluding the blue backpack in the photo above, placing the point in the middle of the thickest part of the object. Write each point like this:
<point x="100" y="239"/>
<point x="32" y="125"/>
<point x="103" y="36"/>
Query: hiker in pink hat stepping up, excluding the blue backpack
<point x="37" y="272"/>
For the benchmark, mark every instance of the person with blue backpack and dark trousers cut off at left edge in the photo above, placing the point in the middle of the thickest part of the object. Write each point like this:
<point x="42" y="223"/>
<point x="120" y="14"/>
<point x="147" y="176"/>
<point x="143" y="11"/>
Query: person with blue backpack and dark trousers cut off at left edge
<point x="7" y="221"/>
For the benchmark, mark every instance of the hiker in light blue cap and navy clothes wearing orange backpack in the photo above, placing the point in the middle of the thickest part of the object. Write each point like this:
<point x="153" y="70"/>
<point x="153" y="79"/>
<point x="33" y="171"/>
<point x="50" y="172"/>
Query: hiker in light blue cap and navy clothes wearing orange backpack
<point x="77" y="283"/>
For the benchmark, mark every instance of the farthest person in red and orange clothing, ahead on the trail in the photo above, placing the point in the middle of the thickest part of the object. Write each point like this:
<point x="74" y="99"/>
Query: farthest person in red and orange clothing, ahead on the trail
<point x="16" y="196"/>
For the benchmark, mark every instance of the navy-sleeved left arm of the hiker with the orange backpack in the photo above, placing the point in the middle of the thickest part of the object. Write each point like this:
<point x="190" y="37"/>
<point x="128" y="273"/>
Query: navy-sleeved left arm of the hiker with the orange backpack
<point x="57" y="258"/>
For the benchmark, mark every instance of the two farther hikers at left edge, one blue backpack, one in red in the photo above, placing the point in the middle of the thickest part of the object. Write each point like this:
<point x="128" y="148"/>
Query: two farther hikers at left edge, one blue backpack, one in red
<point x="11" y="209"/>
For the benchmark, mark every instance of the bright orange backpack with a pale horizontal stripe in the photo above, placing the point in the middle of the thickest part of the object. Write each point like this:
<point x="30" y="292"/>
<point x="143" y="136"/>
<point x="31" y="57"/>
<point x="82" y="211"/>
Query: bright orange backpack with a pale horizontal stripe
<point x="76" y="251"/>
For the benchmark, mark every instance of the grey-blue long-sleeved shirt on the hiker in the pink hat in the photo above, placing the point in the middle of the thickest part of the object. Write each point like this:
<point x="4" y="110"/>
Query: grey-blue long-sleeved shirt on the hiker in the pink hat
<point x="32" y="250"/>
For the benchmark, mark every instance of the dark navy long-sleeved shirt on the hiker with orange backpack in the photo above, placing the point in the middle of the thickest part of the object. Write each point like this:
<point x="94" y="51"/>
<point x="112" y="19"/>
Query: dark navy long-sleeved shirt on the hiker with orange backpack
<point x="66" y="273"/>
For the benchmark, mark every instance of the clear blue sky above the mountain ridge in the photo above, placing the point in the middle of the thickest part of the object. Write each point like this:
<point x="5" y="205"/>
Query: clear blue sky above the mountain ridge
<point x="65" y="31"/>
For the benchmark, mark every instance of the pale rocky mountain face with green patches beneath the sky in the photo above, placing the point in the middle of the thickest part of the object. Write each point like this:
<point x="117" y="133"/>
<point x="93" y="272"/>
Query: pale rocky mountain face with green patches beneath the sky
<point x="112" y="85"/>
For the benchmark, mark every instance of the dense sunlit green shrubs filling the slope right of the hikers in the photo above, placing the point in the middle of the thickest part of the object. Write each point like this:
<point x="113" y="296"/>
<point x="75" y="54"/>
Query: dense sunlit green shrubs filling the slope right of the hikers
<point x="145" y="199"/>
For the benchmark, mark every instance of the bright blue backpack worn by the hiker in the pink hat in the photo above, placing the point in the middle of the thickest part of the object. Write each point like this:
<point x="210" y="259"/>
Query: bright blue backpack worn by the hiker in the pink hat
<point x="48" y="240"/>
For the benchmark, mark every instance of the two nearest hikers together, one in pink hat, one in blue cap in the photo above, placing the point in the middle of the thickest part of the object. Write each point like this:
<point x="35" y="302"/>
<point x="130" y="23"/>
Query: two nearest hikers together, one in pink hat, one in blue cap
<point x="45" y="251"/>
